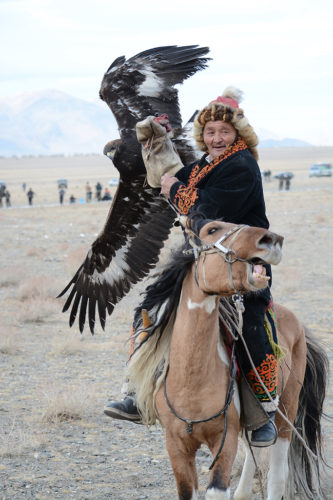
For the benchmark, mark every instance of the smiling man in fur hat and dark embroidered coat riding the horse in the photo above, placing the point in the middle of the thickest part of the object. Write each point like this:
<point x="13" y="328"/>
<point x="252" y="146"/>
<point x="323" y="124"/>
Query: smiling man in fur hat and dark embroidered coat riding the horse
<point x="226" y="184"/>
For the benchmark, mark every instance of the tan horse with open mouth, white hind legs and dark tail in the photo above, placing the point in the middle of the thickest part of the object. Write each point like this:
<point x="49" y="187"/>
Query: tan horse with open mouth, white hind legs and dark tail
<point x="183" y="376"/>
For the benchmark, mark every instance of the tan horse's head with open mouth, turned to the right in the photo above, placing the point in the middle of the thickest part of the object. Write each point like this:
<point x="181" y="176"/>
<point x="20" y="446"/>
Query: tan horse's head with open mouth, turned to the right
<point x="230" y="257"/>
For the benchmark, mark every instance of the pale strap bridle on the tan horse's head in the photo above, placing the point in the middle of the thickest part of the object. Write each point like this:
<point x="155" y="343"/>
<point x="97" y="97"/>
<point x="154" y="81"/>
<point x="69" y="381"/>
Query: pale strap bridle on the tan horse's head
<point x="229" y="255"/>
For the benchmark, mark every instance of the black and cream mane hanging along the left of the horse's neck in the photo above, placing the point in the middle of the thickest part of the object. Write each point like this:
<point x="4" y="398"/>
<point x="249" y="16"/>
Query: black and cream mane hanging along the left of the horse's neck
<point x="149" y="362"/>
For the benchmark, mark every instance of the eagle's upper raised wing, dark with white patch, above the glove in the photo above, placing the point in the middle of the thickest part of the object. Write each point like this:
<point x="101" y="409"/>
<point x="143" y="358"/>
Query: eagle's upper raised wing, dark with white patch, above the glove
<point x="144" y="84"/>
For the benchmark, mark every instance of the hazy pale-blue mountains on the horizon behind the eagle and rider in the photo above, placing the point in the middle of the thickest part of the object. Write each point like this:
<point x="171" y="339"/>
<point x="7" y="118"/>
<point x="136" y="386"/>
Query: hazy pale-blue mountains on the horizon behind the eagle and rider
<point x="51" y="122"/>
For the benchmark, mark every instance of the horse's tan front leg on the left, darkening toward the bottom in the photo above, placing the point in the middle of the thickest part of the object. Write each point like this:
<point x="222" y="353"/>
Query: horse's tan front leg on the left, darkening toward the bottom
<point x="183" y="465"/>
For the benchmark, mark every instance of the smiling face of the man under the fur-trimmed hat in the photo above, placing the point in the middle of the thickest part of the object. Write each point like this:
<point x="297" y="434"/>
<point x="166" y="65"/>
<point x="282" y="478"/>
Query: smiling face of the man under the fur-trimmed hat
<point x="218" y="136"/>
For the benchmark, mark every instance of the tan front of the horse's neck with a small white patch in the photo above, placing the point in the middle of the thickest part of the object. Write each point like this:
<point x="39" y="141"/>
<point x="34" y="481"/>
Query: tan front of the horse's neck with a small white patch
<point x="194" y="339"/>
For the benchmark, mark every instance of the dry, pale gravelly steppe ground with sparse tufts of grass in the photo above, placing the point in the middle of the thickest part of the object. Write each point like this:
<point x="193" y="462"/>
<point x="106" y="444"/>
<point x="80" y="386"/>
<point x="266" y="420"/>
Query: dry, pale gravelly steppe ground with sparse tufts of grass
<point x="55" y="441"/>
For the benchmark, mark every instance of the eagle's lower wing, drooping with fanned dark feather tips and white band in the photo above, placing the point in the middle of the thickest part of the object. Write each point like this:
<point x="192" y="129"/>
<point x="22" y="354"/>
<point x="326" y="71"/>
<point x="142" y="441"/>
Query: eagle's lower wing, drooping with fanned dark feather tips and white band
<point x="127" y="248"/>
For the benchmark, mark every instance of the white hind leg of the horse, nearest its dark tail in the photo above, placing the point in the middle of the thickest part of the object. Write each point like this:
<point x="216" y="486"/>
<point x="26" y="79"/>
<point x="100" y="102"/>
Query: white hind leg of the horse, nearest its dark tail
<point x="278" y="469"/>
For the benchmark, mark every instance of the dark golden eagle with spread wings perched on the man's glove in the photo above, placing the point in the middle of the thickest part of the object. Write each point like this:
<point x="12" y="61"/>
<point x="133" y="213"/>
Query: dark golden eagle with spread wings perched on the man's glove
<point x="139" y="219"/>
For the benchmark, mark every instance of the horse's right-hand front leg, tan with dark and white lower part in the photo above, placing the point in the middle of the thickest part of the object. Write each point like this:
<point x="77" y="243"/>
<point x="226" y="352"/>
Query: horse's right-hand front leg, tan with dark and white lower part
<point x="219" y="484"/>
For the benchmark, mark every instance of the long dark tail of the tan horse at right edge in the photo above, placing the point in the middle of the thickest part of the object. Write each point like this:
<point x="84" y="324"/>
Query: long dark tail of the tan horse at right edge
<point x="303" y="467"/>
